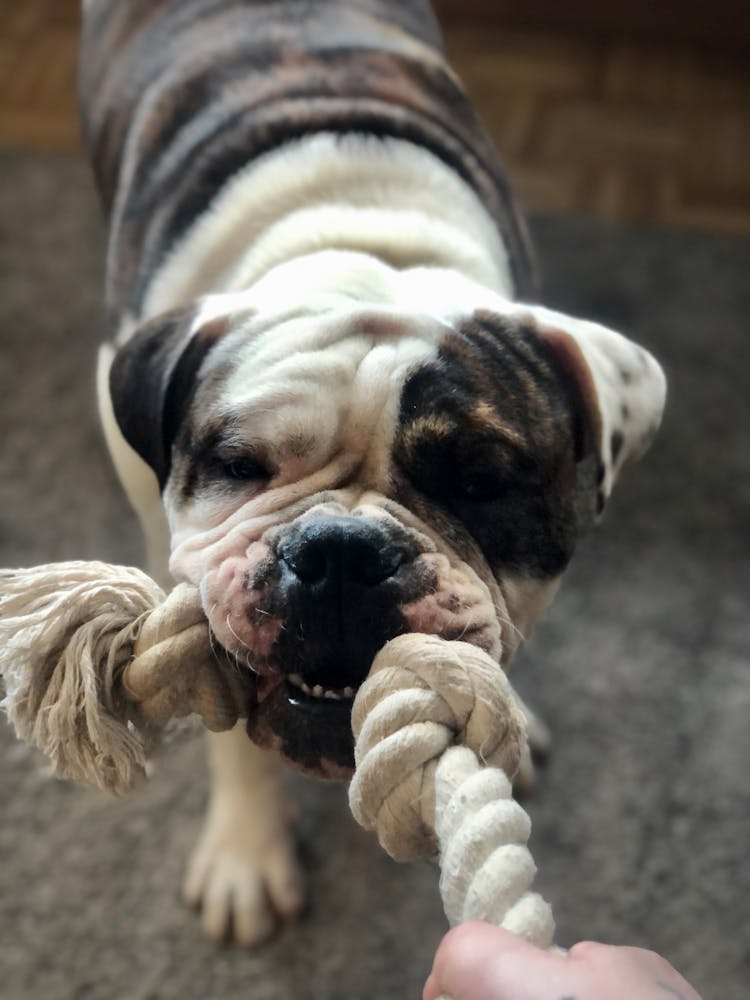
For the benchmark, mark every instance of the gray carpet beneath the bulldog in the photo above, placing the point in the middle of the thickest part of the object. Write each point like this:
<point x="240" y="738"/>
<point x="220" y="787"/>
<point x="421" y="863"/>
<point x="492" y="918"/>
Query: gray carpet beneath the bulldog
<point x="642" y="817"/>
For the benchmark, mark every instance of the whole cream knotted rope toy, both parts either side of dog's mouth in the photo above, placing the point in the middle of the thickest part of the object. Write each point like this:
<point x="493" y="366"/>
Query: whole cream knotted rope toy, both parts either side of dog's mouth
<point x="96" y="660"/>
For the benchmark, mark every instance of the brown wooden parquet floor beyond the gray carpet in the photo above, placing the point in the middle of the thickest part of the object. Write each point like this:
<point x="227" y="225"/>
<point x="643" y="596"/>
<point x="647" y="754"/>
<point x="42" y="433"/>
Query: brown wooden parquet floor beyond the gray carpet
<point x="620" y="130"/>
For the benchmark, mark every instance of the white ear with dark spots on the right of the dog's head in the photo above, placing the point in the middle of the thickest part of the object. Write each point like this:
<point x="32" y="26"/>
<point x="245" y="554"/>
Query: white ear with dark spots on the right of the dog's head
<point x="618" y="391"/>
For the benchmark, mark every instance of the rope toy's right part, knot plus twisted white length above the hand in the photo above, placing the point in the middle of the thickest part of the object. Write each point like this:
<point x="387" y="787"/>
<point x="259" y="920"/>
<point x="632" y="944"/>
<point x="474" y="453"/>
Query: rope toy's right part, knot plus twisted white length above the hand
<point x="438" y="737"/>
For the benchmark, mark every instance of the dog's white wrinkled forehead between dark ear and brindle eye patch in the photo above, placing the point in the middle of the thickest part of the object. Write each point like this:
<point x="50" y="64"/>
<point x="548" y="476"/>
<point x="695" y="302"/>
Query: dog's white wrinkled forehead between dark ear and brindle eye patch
<point x="276" y="405"/>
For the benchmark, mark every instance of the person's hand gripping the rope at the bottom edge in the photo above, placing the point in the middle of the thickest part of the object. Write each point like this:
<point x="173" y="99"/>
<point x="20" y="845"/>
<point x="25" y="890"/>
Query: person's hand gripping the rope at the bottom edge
<point x="477" y="961"/>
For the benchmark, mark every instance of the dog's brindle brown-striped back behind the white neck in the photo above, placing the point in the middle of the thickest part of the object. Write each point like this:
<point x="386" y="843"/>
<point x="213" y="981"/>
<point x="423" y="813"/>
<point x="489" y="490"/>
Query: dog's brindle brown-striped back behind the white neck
<point x="179" y="95"/>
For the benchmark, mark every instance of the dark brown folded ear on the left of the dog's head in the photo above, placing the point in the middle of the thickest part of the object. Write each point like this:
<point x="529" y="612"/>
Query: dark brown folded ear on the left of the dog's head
<point x="154" y="377"/>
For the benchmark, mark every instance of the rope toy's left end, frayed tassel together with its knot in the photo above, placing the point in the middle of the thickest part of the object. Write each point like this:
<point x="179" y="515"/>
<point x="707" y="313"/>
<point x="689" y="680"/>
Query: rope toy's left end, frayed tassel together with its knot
<point x="97" y="658"/>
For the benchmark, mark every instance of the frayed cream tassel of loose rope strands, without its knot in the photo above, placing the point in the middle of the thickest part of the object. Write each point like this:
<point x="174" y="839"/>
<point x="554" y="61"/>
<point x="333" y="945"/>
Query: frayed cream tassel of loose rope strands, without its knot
<point x="66" y="635"/>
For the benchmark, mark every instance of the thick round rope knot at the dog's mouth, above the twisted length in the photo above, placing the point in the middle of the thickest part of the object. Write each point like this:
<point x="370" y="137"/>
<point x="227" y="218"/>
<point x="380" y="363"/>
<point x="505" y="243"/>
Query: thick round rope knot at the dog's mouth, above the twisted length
<point x="423" y="695"/>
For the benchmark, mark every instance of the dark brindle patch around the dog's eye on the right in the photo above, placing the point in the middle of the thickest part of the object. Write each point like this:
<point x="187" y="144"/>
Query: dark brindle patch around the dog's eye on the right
<point x="503" y="474"/>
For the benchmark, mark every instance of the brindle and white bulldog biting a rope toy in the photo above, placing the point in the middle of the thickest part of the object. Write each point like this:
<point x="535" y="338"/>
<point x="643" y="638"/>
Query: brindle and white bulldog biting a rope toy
<point x="326" y="390"/>
